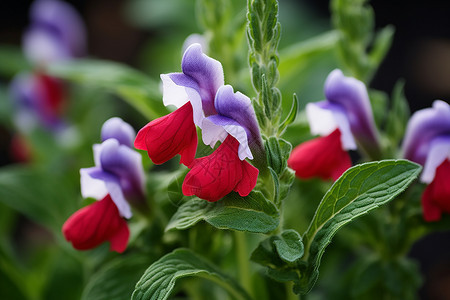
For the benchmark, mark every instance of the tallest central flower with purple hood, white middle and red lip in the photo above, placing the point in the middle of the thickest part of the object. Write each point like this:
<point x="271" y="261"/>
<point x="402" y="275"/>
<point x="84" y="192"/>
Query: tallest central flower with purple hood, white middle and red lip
<point x="192" y="92"/>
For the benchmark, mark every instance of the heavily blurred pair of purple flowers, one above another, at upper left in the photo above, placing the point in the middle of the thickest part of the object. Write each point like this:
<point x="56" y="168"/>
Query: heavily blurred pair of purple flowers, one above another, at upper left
<point x="56" y="33"/>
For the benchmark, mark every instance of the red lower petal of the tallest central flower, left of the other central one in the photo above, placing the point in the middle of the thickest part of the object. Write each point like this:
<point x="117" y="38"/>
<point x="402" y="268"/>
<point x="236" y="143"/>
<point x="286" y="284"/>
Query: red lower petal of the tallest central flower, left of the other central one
<point x="168" y="136"/>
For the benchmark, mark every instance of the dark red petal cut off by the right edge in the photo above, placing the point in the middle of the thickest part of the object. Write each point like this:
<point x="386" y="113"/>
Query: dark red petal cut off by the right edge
<point x="436" y="197"/>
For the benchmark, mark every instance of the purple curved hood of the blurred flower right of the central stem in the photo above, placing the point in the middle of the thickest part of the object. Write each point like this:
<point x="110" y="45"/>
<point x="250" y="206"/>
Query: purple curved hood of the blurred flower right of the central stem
<point x="352" y="95"/>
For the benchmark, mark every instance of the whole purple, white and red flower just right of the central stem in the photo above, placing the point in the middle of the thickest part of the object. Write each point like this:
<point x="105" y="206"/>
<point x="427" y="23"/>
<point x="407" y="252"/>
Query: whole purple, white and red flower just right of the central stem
<point x="343" y="120"/>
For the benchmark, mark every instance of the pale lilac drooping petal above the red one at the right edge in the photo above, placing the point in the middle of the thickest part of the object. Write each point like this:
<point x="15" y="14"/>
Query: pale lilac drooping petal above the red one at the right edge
<point x="438" y="153"/>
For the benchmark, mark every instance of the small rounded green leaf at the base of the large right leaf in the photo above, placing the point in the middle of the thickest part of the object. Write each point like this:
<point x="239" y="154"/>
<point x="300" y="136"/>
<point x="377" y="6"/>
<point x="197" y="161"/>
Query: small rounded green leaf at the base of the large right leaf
<point x="289" y="246"/>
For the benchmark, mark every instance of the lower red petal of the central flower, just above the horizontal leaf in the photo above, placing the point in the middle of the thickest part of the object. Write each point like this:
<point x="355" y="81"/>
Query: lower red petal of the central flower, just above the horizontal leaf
<point x="213" y="177"/>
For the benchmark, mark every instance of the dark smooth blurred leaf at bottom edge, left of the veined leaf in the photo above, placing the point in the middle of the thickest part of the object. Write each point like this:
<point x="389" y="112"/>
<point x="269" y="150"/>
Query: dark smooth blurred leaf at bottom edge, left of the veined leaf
<point x="116" y="280"/>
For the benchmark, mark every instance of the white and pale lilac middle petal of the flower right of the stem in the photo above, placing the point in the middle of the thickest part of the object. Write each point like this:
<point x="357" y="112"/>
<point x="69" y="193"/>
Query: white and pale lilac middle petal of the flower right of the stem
<point x="324" y="117"/>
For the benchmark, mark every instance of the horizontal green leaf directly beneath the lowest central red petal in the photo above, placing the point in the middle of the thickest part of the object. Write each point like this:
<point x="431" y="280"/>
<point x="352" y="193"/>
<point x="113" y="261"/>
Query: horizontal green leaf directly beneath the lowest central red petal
<point x="253" y="213"/>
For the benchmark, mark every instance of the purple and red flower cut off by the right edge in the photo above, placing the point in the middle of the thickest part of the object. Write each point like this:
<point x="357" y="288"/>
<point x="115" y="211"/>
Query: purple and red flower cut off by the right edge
<point x="427" y="142"/>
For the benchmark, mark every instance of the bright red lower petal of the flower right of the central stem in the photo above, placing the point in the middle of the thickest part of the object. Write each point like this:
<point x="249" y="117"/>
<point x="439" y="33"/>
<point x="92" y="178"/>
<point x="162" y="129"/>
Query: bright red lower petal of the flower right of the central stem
<point x="320" y="157"/>
